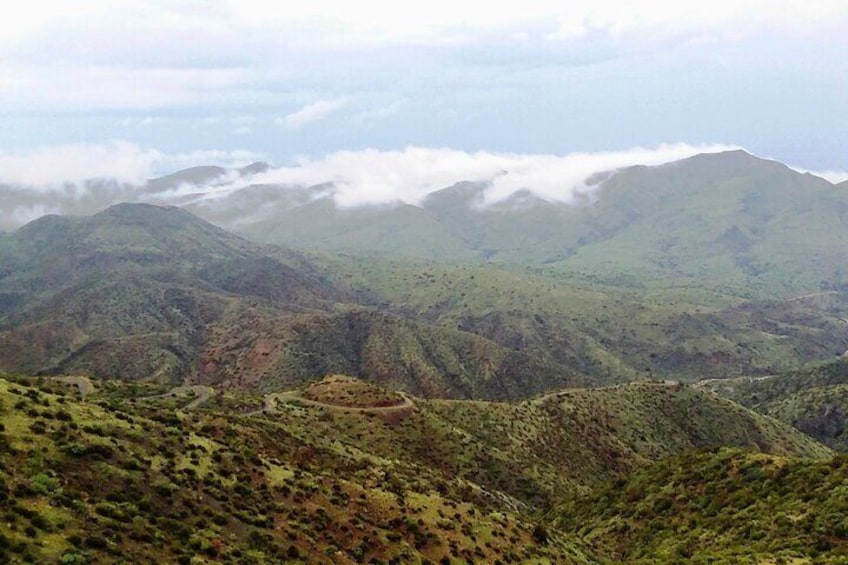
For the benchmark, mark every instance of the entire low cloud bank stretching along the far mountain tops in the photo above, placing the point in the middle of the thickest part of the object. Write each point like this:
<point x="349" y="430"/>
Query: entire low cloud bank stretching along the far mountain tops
<point x="57" y="179"/>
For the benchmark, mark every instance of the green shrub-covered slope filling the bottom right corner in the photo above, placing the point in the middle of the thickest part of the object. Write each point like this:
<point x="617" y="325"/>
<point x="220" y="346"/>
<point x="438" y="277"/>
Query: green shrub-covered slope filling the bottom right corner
<point x="719" y="507"/>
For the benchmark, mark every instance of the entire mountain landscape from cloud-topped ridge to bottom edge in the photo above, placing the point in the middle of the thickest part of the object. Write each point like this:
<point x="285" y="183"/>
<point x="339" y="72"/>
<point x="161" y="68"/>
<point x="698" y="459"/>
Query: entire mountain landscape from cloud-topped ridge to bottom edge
<point x="653" y="373"/>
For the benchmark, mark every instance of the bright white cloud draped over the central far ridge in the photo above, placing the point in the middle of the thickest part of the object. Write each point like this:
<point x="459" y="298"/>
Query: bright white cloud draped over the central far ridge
<point x="373" y="176"/>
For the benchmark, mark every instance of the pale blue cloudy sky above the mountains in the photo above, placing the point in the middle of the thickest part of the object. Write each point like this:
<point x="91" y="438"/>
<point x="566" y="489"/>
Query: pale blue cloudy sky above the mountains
<point x="130" y="89"/>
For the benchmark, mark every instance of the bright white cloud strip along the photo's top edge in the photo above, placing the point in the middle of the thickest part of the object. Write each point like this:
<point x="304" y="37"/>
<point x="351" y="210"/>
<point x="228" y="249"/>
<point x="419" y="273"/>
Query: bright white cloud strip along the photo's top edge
<point x="152" y="28"/>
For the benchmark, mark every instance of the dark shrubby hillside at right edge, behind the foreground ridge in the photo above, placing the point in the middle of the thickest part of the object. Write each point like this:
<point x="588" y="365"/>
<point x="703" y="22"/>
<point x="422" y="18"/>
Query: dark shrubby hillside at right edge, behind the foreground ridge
<point x="814" y="399"/>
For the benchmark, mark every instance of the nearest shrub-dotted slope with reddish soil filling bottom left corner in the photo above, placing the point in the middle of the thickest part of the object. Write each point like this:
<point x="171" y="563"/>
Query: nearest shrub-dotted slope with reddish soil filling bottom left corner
<point x="99" y="481"/>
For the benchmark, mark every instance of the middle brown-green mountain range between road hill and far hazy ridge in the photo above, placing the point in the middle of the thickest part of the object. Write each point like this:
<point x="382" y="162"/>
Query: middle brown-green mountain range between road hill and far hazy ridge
<point x="145" y="292"/>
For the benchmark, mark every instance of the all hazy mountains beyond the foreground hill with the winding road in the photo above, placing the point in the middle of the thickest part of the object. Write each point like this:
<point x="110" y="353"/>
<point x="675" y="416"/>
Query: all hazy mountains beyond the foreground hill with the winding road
<point x="679" y="271"/>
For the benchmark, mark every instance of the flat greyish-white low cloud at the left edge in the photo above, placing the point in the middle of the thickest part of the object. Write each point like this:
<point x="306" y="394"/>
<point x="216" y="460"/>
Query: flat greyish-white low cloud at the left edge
<point x="52" y="168"/>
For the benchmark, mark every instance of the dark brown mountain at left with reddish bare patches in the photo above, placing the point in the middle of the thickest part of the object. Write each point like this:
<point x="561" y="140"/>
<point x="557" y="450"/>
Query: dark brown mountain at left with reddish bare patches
<point x="152" y="293"/>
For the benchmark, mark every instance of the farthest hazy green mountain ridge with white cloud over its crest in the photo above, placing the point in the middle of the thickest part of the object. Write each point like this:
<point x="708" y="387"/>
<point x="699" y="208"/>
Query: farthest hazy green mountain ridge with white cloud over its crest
<point x="728" y="221"/>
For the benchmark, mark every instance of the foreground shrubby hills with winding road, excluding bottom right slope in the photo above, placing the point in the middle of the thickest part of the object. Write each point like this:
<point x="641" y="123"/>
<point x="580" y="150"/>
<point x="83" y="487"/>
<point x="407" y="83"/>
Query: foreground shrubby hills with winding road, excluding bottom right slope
<point x="339" y="471"/>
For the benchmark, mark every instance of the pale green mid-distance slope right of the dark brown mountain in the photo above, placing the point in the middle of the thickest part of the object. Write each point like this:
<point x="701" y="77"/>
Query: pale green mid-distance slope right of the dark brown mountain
<point x="608" y="334"/>
